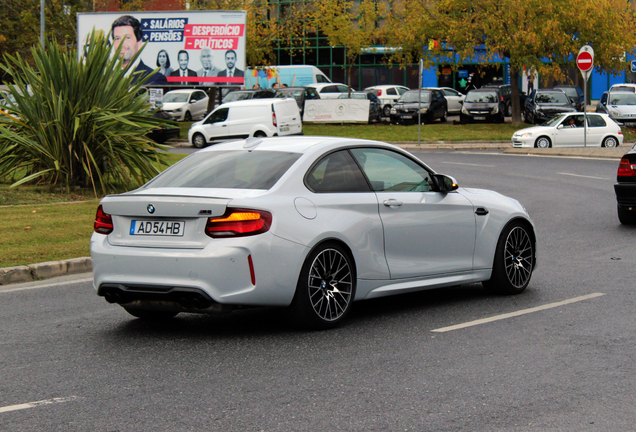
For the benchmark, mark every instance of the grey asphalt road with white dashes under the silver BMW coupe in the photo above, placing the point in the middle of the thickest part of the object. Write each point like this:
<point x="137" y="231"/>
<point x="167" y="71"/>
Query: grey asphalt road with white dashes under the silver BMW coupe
<point x="564" y="360"/>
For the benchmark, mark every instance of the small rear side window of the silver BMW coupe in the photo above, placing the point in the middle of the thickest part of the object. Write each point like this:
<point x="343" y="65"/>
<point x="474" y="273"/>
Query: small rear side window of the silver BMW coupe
<point x="335" y="173"/>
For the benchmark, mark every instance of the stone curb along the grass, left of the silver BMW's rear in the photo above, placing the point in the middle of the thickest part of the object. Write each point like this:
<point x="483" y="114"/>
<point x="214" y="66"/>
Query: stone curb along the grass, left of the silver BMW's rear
<point x="45" y="270"/>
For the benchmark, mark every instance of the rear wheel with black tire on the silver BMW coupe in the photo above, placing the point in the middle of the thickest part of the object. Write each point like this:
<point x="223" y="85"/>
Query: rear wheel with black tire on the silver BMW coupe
<point x="325" y="289"/>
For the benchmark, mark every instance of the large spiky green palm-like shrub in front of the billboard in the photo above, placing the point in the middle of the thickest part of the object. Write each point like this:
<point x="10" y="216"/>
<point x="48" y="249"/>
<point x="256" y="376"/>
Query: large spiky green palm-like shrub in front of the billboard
<point x="77" y="123"/>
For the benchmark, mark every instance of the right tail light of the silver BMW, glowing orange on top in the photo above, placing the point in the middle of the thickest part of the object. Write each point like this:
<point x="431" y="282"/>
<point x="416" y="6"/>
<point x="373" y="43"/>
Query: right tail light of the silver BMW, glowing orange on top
<point x="239" y="223"/>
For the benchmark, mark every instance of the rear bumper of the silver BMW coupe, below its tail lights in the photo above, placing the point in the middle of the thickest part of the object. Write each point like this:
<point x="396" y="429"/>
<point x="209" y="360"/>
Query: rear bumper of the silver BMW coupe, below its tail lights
<point x="220" y="272"/>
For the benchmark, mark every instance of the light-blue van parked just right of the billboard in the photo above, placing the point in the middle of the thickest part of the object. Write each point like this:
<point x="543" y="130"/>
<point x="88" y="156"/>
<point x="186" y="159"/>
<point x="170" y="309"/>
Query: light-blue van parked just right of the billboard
<point x="293" y="76"/>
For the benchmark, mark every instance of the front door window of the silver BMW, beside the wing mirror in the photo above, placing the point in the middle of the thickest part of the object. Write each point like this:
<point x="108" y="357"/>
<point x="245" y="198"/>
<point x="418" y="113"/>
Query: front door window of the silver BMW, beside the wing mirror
<point x="391" y="171"/>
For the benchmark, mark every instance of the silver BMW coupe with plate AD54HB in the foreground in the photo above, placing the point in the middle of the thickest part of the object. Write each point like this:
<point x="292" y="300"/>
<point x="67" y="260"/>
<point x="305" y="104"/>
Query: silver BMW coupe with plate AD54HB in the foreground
<point x="310" y="223"/>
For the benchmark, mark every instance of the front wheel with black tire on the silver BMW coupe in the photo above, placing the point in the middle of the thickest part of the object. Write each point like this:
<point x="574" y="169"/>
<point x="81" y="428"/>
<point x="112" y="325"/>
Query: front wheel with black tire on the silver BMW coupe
<point x="514" y="260"/>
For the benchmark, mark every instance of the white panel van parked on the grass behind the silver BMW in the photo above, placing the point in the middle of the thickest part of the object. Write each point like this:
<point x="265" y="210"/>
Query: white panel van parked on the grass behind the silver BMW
<point x="247" y="118"/>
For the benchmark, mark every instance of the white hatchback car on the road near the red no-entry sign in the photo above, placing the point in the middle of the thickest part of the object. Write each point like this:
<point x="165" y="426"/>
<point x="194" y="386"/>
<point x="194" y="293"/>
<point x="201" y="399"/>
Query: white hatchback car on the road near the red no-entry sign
<point x="567" y="130"/>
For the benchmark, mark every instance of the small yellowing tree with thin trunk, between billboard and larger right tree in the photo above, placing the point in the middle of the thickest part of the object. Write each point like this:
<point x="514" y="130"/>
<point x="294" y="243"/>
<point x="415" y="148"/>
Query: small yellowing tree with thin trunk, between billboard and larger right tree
<point x="353" y="26"/>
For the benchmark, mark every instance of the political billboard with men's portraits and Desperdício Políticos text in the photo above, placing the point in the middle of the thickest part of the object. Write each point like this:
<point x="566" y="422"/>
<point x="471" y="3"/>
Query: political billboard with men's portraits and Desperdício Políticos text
<point x="199" y="48"/>
